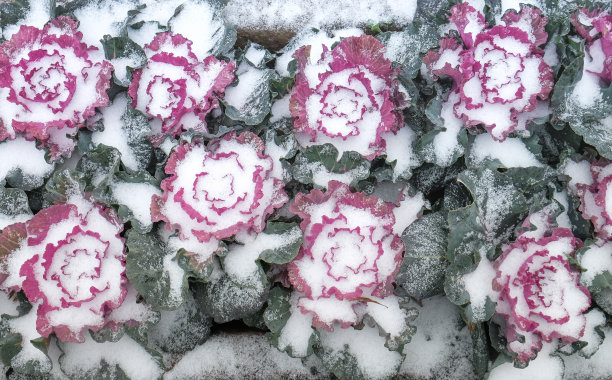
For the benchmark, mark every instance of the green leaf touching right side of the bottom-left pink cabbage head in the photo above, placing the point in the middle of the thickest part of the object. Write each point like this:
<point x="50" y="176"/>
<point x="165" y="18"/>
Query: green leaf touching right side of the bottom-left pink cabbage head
<point x="145" y="270"/>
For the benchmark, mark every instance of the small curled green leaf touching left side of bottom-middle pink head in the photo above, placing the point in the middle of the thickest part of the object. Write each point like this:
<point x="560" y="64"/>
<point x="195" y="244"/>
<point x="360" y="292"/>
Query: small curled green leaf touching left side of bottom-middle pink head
<point x="287" y="252"/>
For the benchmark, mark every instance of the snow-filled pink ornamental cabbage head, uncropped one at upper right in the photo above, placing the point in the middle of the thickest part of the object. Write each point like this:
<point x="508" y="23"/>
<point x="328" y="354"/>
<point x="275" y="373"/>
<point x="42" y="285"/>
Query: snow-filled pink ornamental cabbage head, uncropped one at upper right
<point x="498" y="72"/>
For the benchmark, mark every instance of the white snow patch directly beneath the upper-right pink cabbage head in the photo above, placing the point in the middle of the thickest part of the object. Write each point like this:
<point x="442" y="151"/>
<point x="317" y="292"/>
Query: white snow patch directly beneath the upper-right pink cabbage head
<point x="511" y="153"/>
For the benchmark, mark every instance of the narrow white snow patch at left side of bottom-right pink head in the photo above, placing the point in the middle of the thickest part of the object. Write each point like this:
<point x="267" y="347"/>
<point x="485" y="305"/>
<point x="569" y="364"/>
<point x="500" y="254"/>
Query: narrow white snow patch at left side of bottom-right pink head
<point x="479" y="284"/>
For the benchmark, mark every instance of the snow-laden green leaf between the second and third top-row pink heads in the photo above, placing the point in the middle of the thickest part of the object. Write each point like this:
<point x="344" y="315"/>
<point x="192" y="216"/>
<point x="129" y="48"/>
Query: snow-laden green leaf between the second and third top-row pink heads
<point x="248" y="100"/>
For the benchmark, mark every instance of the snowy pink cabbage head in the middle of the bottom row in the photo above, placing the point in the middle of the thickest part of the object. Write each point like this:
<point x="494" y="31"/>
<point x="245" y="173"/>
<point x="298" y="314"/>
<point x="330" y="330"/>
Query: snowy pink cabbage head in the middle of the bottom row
<point x="350" y="252"/>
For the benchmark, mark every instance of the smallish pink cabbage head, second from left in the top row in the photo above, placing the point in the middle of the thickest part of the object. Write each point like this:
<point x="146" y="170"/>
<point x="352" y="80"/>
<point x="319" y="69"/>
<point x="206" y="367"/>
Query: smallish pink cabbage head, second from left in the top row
<point x="175" y="89"/>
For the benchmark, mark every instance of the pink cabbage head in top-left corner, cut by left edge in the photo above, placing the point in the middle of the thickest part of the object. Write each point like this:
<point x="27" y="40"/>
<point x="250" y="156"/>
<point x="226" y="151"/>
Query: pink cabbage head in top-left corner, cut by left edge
<point x="50" y="83"/>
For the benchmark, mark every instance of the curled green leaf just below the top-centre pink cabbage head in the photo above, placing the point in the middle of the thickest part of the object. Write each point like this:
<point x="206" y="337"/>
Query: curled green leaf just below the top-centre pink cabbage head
<point x="327" y="155"/>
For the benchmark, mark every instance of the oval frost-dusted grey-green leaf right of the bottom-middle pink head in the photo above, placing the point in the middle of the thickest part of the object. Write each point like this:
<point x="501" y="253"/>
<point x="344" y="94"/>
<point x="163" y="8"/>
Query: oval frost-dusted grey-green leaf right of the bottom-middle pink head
<point x="423" y="267"/>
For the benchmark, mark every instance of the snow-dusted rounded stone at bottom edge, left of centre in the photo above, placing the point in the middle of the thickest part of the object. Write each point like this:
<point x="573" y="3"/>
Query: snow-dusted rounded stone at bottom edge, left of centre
<point x="232" y="356"/>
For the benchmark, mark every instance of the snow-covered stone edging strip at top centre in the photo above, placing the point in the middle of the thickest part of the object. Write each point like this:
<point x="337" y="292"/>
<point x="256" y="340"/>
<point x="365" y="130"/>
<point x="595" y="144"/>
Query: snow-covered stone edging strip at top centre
<point x="299" y="15"/>
